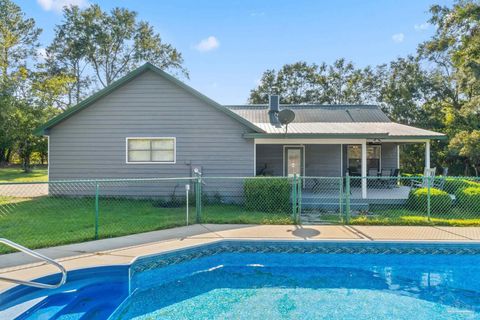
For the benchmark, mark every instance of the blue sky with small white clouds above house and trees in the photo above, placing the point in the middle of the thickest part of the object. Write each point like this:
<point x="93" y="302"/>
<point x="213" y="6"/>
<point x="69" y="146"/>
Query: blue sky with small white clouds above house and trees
<point x="228" y="44"/>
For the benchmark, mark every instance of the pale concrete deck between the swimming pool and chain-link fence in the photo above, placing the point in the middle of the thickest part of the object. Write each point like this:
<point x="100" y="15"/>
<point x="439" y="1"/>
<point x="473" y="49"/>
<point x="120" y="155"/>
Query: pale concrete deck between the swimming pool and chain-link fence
<point x="123" y="250"/>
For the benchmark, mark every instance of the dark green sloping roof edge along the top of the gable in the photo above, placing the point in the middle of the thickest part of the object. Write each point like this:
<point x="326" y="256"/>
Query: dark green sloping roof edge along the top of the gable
<point x="42" y="130"/>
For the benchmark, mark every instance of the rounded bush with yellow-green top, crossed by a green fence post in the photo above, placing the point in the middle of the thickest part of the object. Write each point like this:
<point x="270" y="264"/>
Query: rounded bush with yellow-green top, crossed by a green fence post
<point x="440" y="201"/>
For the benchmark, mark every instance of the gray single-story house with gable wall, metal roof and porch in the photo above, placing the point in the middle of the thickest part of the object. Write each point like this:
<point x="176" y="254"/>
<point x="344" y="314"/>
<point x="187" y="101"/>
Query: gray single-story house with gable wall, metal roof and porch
<point x="149" y="124"/>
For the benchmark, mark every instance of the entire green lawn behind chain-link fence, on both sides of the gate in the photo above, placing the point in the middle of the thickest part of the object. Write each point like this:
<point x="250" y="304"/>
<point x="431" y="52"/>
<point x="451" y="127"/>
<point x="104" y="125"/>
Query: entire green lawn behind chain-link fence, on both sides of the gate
<point x="50" y="221"/>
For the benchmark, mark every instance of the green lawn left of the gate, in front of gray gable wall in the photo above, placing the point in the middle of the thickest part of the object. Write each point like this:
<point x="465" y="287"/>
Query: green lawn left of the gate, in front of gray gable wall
<point x="50" y="221"/>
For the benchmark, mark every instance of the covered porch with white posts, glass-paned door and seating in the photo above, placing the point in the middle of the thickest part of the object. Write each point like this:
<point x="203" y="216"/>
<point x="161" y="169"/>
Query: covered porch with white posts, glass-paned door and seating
<point x="325" y="162"/>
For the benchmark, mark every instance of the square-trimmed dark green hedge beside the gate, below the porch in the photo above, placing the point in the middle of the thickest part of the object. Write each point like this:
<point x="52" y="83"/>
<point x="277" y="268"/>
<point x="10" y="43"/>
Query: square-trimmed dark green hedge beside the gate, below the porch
<point x="267" y="194"/>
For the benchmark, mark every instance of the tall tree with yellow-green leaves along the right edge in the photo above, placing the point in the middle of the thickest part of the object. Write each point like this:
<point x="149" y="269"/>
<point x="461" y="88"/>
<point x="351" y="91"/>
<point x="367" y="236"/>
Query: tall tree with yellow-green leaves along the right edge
<point x="455" y="50"/>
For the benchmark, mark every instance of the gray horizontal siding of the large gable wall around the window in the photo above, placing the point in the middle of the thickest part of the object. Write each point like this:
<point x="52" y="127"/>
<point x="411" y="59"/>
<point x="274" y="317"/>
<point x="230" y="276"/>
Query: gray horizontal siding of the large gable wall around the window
<point x="91" y="144"/>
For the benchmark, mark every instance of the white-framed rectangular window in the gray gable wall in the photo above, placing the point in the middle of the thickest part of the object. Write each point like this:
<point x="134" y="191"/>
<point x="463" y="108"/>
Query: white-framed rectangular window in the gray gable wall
<point x="151" y="150"/>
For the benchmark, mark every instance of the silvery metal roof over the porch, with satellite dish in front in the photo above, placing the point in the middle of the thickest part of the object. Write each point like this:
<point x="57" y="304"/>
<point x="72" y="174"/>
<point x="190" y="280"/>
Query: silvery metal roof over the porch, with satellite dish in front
<point x="331" y="121"/>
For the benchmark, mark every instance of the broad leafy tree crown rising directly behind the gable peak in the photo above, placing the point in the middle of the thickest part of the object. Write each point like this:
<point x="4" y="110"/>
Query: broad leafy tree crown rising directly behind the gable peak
<point x="111" y="44"/>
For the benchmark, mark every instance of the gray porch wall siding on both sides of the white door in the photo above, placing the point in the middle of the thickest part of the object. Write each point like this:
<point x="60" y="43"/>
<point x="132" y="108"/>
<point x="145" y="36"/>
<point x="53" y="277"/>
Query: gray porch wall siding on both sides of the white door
<point x="320" y="160"/>
